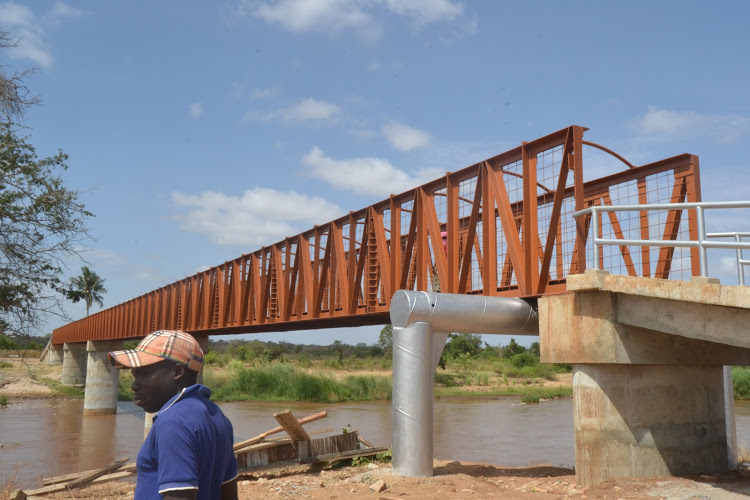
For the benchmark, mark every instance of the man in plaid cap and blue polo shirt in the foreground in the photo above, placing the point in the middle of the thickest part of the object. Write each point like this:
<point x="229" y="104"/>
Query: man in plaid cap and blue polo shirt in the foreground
<point x="188" y="452"/>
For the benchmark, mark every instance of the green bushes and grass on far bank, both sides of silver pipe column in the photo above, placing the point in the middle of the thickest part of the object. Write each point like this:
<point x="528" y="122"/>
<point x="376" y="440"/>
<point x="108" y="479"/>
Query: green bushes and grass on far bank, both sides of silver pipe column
<point x="254" y="370"/>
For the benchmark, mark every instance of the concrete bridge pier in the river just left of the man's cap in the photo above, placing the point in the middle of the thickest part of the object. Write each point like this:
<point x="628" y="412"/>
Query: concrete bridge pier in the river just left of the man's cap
<point x="102" y="379"/>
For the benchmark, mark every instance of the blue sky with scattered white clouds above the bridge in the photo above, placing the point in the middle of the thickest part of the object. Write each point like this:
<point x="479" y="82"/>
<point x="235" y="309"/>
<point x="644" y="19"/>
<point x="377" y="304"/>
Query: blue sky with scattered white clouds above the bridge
<point x="200" y="131"/>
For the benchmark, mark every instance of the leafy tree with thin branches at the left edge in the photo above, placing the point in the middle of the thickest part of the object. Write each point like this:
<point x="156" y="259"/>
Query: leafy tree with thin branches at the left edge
<point x="42" y="222"/>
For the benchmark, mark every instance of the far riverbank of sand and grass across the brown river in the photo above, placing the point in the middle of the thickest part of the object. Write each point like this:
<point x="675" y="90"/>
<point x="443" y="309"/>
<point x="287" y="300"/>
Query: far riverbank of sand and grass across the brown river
<point x="31" y="379"/>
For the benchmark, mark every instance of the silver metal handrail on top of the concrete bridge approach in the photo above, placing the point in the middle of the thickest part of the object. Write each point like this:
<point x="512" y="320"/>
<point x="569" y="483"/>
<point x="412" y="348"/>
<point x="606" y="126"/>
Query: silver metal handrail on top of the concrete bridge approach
<point x="701" y="243"/>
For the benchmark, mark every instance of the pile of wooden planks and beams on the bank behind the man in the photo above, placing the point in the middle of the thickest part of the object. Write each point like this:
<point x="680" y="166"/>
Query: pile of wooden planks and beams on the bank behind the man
<point x="253" y="455"/>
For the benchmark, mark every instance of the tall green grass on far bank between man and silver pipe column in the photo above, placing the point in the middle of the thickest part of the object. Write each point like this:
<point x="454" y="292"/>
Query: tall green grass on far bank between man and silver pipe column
<point x="284" y="382"/>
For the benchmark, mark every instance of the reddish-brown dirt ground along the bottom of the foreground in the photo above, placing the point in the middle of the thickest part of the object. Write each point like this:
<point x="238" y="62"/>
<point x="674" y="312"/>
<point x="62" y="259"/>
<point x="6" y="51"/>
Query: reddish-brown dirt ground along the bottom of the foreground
<point x="455" y="480"/>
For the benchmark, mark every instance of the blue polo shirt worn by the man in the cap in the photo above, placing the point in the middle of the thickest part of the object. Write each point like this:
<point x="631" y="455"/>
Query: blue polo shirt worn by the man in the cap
<point x="189" y="447"/>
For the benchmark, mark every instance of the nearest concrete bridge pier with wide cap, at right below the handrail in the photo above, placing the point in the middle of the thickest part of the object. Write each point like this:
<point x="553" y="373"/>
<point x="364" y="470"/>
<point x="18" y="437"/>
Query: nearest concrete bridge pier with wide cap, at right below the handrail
<point x="649" y="383"/>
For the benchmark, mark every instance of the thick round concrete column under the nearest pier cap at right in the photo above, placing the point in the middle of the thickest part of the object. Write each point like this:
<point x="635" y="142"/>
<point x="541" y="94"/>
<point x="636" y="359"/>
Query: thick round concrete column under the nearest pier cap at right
<point x="642" y="421"/>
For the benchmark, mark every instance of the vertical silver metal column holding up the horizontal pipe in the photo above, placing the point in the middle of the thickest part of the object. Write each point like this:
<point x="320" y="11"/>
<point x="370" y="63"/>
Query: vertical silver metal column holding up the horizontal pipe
<point x="412" y="399"/>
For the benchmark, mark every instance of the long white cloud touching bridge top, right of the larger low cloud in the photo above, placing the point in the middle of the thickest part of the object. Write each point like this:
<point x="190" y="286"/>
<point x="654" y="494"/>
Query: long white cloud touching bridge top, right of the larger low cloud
<point x="371" y="176"/>
